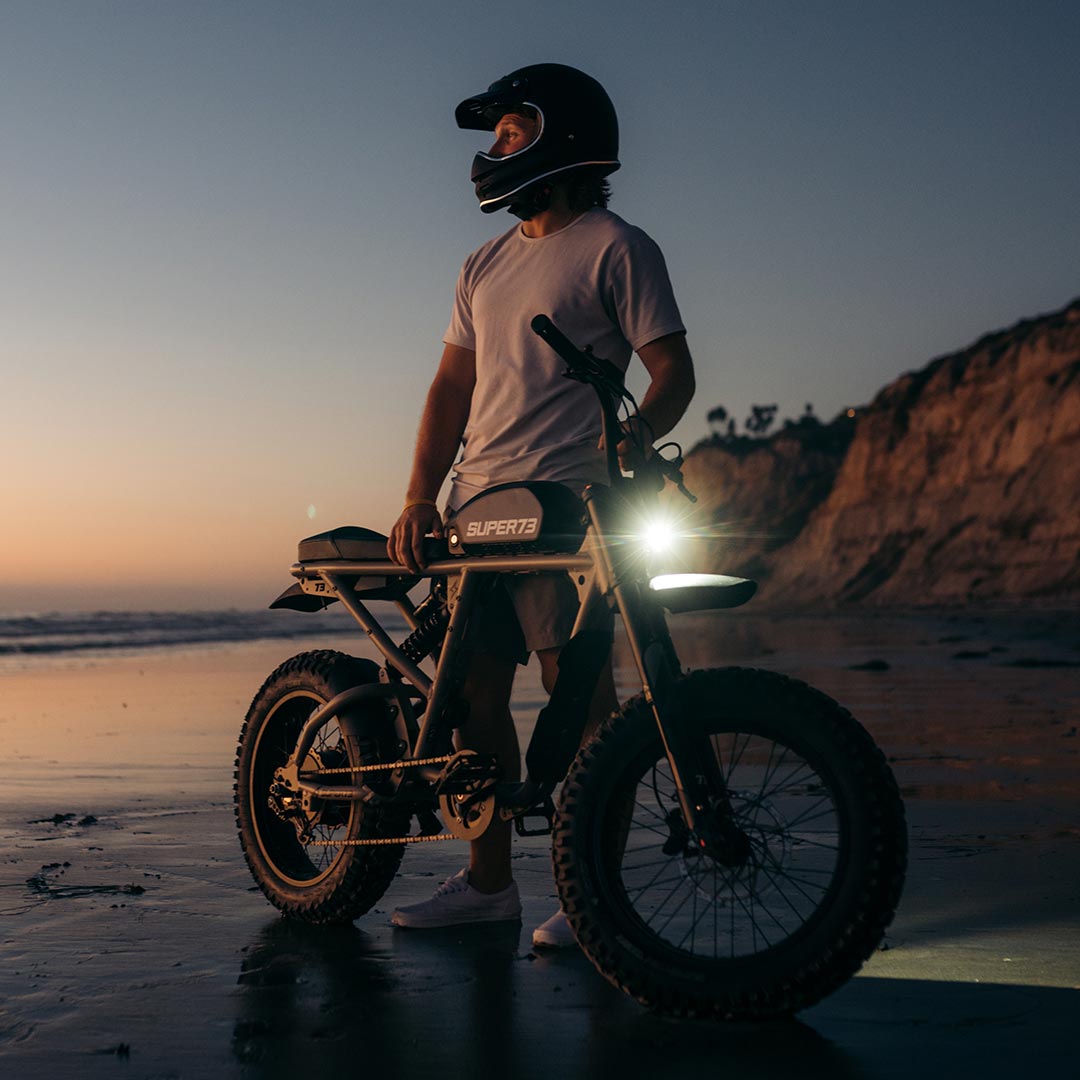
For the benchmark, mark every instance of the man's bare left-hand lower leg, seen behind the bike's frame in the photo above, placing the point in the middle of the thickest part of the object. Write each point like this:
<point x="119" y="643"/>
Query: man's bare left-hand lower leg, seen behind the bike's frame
<point x="491" y="731"/>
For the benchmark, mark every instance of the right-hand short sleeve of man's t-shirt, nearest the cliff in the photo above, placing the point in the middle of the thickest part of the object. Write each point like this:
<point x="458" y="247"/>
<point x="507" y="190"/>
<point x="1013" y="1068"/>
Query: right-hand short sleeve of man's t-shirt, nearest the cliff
<point x="642" y="293"/>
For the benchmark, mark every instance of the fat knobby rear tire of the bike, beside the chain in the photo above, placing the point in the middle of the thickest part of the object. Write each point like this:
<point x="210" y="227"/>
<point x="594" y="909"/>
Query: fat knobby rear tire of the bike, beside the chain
<point x="358" y="876"/>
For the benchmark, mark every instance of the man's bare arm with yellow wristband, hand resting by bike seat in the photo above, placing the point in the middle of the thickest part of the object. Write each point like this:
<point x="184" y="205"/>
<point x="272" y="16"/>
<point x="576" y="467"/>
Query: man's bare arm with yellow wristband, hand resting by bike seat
<point x="442" y="426"/>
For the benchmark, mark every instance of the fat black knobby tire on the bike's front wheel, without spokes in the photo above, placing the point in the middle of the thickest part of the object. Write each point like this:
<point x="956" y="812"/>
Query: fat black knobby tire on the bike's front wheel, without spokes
<point x="835" y="941"/>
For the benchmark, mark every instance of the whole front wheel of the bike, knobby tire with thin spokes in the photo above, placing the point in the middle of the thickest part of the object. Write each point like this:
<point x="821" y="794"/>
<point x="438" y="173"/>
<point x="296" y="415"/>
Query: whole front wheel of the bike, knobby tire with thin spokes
<point x="748" y="937"/>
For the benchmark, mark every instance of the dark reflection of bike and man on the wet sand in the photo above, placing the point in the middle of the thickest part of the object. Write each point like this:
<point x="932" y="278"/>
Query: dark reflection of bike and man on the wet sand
<point x="474" y="1003"/>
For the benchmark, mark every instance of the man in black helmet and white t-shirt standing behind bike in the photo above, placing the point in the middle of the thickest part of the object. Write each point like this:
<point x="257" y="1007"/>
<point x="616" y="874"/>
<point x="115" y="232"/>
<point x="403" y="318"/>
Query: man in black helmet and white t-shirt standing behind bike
<point x="499" y="396"/>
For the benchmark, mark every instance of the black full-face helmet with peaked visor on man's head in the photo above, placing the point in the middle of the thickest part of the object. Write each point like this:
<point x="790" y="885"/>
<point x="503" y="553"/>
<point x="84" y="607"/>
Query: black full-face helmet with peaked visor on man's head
<point x="577" y="129"/>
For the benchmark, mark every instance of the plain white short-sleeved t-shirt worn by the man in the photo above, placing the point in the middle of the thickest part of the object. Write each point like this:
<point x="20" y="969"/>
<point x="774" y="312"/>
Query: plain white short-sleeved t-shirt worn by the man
<point x="604" y="283"/>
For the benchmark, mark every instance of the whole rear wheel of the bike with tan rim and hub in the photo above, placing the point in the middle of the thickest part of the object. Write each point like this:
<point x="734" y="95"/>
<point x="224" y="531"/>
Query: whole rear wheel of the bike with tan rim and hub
<point x="295" y="845"/>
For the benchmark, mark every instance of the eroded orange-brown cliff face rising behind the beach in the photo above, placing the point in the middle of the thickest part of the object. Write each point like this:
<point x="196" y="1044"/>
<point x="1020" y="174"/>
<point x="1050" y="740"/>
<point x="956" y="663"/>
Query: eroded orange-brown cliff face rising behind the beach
<point x="962" y="483"/>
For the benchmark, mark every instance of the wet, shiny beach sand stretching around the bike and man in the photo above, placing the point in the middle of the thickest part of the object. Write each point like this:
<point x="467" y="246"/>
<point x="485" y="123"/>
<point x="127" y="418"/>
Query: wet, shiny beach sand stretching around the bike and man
<point x="133" y="942"/>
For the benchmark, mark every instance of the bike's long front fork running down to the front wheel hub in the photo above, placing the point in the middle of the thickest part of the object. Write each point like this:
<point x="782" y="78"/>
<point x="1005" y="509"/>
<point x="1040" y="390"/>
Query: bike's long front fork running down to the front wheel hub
<point x="699" y="781"/>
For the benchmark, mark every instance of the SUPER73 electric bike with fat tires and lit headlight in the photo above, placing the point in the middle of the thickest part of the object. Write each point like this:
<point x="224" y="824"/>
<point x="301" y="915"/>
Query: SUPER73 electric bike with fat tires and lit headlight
<point x="732" y="843"/>
